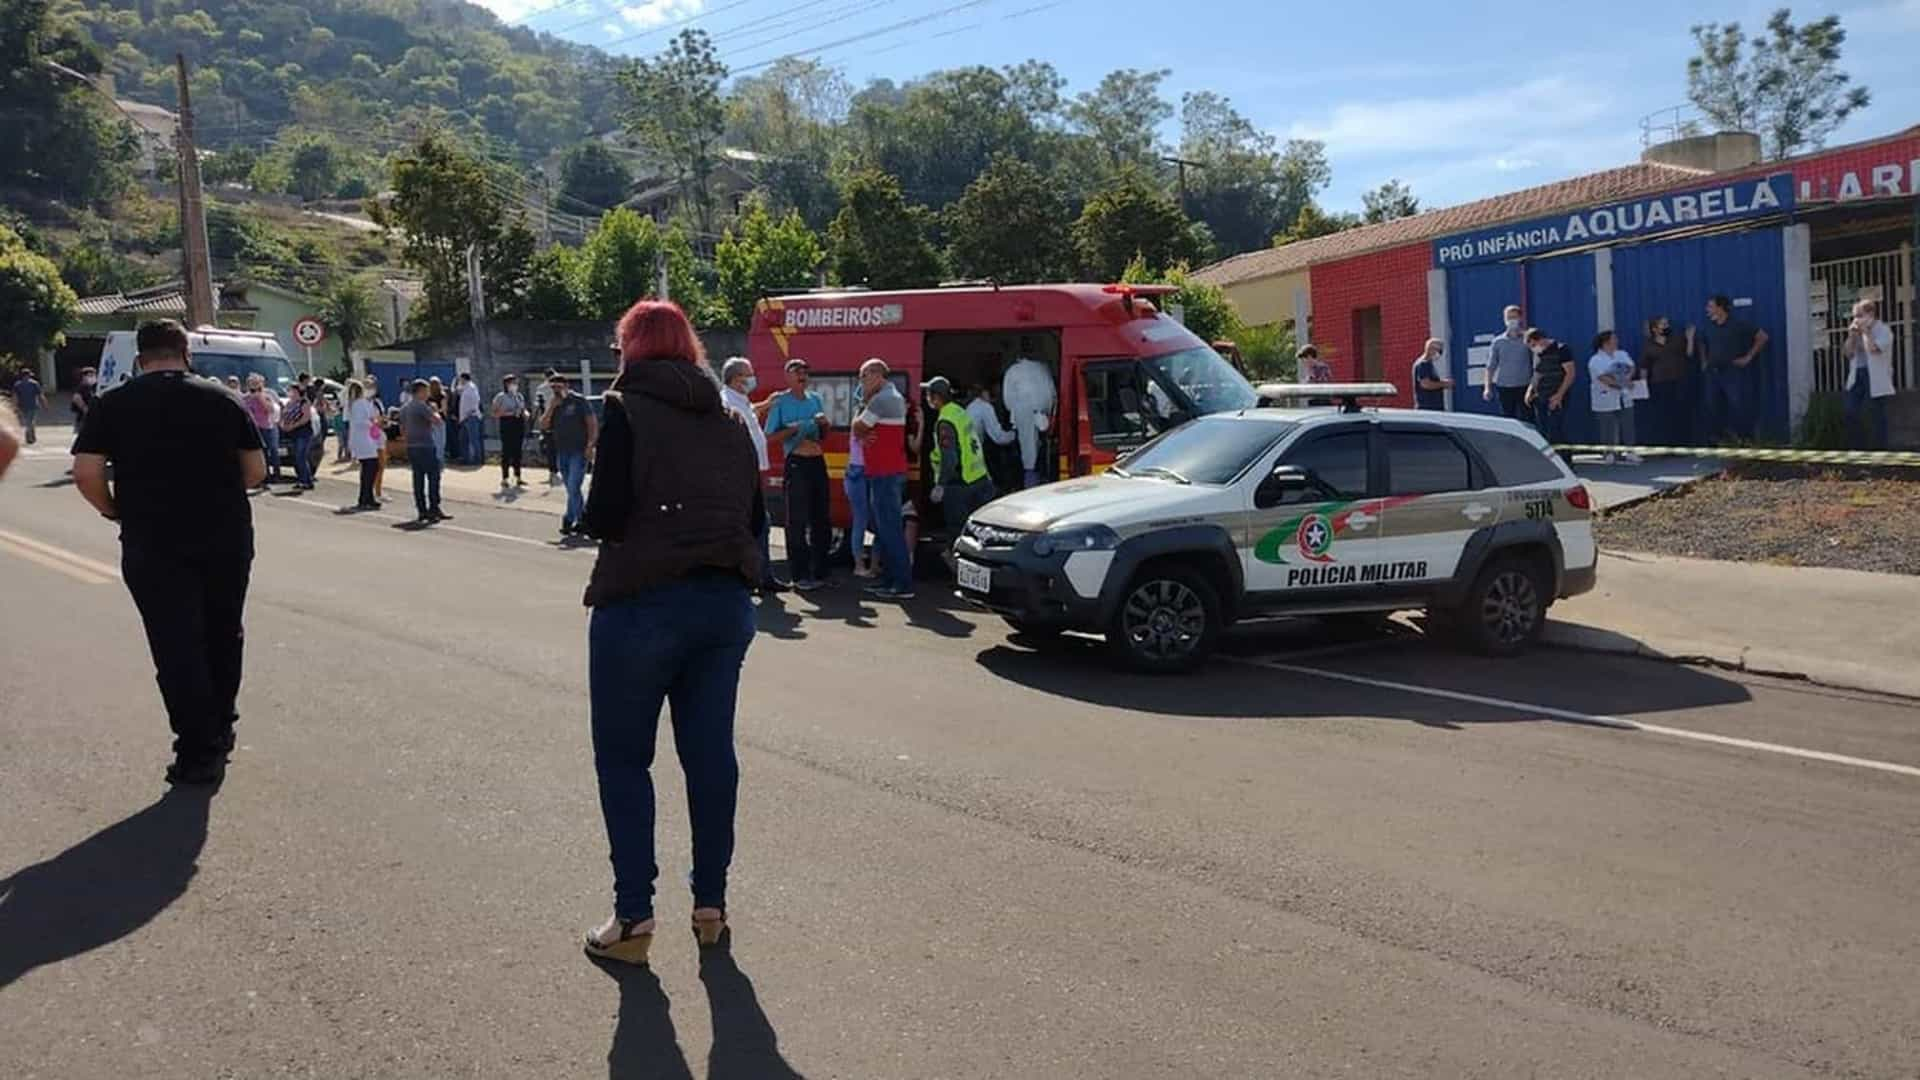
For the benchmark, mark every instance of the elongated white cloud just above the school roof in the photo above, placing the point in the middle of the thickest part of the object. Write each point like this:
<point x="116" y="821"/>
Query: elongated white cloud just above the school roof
<point x="1424" y="126"/>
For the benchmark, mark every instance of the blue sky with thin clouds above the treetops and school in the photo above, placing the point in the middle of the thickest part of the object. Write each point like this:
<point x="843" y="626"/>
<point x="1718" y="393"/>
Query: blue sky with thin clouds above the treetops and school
<point x="1460" y="101"/>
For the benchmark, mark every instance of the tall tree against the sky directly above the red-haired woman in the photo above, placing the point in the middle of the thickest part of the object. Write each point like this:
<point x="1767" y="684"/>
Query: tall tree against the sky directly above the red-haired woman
<point x="675" y="109"/>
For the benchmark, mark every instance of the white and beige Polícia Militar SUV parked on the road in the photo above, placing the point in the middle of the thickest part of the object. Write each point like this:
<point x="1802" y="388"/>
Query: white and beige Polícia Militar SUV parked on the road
<point x="1293" y="512"/>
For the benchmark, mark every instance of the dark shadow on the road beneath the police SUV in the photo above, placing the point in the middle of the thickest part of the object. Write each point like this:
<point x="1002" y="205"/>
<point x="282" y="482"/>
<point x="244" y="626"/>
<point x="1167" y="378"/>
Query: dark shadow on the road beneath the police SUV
<point x="1598" y="685"/>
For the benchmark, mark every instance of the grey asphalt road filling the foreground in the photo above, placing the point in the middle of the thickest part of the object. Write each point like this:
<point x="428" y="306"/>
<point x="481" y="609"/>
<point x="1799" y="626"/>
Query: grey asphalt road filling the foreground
<point x="959" y="856"/>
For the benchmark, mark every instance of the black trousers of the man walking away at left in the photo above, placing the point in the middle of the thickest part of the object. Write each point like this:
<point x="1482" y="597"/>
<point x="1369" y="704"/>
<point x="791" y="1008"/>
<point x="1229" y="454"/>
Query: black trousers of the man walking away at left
<point x="191" y="604"/>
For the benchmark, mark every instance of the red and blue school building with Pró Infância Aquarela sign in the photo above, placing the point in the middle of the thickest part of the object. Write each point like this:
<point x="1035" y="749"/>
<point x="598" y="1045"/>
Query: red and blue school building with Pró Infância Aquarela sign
<point x="1792" y="243"/>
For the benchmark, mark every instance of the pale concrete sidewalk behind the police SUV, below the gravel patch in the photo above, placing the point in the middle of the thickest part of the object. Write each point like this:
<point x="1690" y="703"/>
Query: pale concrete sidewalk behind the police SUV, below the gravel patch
<point x="1838" y="627"/>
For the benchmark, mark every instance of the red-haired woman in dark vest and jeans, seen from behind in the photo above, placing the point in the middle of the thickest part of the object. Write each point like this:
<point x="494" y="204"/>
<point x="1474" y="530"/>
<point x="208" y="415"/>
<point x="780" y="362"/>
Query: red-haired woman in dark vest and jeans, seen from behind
<point x="673" y="504"/>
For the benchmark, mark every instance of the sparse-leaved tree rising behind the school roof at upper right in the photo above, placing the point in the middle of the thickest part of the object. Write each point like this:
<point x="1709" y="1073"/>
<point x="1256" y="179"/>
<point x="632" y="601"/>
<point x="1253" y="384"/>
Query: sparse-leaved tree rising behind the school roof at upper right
<point x="1785" y="86"/>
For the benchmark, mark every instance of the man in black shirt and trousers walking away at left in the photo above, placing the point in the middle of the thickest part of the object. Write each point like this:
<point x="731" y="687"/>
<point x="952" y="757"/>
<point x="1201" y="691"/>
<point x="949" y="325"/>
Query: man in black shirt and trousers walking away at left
<point x="185" y="454"/>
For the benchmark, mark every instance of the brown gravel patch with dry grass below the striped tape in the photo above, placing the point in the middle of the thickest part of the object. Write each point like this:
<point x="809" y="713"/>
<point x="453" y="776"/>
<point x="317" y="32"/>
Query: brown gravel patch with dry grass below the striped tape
<point x="1783" y="516"/>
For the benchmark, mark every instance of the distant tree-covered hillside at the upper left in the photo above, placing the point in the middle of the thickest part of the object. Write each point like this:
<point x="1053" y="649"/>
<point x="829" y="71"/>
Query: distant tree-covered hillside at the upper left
<point x="372" y="72"/>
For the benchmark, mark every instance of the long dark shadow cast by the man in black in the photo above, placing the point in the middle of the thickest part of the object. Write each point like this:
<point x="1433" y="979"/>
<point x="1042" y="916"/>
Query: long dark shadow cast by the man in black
<point x="105" y="887"/>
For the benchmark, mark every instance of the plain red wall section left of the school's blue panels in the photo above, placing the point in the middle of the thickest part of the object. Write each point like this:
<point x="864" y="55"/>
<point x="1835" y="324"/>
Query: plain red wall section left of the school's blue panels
<point x="1395" y="282"/>
